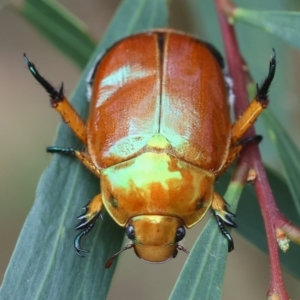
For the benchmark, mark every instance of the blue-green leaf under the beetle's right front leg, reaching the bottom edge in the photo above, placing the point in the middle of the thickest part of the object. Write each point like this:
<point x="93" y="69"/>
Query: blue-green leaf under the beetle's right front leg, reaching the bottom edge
<point x="202" y="276"/>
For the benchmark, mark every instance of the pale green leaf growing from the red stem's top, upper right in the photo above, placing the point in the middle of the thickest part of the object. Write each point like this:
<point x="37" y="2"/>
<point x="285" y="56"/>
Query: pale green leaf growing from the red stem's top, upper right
<point x="280" y="23"/>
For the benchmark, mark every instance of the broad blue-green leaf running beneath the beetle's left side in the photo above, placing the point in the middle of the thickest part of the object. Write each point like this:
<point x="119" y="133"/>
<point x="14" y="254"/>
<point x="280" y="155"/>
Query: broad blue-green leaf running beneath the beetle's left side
<point x="44" y="264"/>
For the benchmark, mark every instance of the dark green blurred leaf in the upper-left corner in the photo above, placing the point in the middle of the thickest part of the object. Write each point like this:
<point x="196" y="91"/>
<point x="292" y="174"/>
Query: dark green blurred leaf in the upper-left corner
<point x="61" y="28"/>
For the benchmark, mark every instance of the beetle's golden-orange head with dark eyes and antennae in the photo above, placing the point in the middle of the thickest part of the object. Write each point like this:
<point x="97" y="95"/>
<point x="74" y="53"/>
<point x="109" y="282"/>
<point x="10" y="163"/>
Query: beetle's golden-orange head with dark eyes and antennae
<point x="154" y="238"/>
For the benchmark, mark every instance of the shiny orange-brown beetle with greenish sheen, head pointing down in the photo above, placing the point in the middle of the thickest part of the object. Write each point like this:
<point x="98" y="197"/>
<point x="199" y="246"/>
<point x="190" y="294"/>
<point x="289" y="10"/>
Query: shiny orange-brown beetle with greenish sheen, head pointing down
<point x="158" y="135"/>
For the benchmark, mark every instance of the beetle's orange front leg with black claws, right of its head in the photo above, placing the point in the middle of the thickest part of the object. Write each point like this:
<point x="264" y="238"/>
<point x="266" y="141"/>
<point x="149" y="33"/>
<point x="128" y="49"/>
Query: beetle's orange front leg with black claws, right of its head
<point x="223" y="216"/>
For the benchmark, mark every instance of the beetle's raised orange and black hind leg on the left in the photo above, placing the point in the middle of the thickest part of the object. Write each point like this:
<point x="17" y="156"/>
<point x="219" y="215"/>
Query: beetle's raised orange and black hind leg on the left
<point x="60" y="103"/>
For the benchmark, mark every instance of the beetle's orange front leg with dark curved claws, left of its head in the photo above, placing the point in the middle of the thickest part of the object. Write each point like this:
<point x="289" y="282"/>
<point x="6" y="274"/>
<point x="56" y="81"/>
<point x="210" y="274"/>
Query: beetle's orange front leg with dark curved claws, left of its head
<point x="87" y="221"/>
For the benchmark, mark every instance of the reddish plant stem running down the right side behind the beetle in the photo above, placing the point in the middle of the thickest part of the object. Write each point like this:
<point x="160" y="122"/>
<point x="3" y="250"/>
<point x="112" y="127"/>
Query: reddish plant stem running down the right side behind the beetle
<point x="250" y="156"/>
